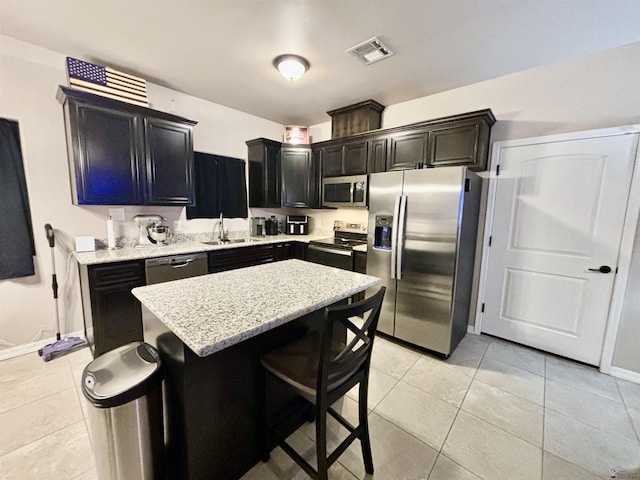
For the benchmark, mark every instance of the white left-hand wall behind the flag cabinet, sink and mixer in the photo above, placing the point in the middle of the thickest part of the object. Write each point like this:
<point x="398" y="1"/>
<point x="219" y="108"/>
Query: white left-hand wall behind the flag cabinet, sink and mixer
<point x="29" y="78"/>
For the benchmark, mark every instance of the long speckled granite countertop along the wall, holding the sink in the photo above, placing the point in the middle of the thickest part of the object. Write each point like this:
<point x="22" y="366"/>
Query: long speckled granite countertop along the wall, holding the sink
<point x="179" y="248"/>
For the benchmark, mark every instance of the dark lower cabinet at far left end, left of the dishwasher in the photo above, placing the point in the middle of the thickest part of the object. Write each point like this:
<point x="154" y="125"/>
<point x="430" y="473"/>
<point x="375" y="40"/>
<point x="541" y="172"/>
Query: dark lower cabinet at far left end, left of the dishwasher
<point x="112" y="315"/>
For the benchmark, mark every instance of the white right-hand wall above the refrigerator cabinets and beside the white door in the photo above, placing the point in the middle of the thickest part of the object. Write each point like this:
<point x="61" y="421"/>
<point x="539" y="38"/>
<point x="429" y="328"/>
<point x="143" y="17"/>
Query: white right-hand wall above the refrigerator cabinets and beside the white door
<point x="596" y="91"/>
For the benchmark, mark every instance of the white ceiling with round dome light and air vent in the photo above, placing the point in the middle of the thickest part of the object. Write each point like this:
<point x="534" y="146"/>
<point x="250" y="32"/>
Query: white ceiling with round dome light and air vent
<point x="222" y="50"/>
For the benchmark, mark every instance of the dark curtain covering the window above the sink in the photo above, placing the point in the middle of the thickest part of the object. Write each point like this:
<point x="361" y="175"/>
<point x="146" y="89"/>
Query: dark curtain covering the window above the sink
<point x="221" y="187"/>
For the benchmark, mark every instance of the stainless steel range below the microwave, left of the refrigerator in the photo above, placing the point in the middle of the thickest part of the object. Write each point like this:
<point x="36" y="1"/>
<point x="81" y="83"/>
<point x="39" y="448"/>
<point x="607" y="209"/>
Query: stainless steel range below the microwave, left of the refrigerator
<point x="337" y="251"/>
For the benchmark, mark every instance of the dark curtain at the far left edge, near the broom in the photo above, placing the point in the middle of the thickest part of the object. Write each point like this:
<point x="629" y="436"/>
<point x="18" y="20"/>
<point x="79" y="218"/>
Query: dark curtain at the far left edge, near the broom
<point x="16" y="235"/>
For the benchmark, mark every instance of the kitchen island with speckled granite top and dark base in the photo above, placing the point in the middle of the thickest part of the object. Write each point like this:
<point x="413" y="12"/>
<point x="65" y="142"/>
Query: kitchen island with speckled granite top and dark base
<point x="220" y="325"/>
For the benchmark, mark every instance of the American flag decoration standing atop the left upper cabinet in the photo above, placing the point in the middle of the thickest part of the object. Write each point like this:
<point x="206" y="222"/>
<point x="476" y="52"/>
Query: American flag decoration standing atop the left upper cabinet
<point x="107" y="82"/>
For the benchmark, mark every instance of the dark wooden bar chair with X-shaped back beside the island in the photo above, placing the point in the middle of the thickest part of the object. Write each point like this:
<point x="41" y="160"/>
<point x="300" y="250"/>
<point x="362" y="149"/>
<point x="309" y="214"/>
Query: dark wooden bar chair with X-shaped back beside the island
<point x="322" y="370"/>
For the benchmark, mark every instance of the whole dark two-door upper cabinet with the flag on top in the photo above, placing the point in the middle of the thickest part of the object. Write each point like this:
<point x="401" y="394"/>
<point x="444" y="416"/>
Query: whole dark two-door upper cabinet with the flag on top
<point x="123" y="154"/>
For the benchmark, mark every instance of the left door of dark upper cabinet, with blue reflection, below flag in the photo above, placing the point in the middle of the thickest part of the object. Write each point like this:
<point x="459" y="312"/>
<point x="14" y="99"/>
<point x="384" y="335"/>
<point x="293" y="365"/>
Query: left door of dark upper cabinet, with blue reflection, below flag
<point x="105" y="156"/>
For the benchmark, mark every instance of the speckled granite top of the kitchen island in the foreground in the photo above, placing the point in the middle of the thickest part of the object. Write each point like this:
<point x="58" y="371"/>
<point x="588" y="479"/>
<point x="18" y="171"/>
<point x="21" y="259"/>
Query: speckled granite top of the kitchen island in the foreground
<point x="213" y="312"/>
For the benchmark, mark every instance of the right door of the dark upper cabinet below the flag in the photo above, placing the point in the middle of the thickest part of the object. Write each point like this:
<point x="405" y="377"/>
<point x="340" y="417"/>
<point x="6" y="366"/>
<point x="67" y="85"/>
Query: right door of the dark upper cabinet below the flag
<point x="169" y="163"/>
